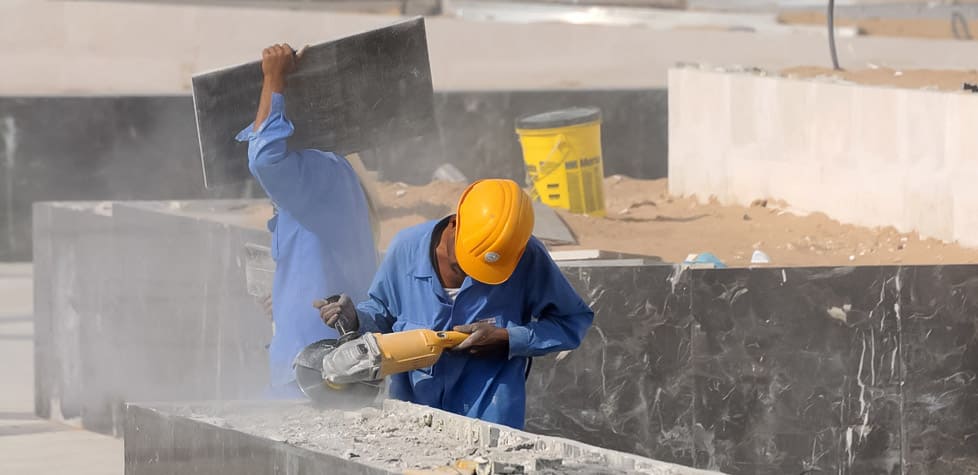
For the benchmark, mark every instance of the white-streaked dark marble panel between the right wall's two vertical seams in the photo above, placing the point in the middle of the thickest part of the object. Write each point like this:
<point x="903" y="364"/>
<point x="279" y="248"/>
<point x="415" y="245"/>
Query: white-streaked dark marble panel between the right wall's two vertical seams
<point x="797" y="370"/>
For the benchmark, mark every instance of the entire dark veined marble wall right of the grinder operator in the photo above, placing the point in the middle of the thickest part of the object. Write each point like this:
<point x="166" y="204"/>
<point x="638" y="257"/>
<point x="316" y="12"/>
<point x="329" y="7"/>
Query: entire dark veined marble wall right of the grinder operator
<point x="849" y="370"/>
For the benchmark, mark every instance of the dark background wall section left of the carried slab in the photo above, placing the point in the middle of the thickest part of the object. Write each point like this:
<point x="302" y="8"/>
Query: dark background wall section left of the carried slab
<point x="96" y="148"/>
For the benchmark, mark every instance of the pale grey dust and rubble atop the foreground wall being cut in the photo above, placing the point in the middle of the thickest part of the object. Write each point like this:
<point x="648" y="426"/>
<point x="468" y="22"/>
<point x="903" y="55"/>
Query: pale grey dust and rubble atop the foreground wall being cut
<point x="392" y="441"/>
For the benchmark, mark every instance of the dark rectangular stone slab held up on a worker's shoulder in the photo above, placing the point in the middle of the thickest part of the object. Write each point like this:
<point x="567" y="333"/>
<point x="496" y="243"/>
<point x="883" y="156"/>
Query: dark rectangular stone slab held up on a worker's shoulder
<point x="347" y="95"/>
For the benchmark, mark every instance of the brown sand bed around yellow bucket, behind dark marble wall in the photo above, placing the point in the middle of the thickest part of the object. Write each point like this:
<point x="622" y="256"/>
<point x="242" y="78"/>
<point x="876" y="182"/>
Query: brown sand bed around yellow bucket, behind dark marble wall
<point x="644" y="219"/>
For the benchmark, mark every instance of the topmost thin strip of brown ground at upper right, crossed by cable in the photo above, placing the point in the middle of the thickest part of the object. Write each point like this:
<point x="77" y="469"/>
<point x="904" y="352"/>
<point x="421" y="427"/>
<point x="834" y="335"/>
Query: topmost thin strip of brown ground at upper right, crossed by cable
<point x="905" y="27"/>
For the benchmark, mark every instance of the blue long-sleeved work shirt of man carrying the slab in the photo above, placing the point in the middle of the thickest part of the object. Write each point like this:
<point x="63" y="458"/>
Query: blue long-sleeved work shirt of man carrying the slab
<point x="322" y="241"/>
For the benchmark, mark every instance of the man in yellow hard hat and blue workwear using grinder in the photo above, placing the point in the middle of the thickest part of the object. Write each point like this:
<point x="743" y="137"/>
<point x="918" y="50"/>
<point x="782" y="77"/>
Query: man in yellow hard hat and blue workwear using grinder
<point x="481" y="272"/>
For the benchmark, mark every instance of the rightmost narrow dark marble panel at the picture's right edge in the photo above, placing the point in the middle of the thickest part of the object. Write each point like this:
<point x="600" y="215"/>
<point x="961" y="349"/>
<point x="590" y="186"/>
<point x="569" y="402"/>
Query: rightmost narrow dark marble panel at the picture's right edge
<point x="939" y="321"/>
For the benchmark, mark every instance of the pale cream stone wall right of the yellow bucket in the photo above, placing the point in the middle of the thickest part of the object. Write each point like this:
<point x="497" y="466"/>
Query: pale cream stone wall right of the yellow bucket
<point x="871" y="156"/>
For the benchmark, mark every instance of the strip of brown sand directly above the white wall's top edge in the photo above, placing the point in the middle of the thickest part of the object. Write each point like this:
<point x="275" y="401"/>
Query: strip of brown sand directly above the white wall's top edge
<point x="942" y="80"/>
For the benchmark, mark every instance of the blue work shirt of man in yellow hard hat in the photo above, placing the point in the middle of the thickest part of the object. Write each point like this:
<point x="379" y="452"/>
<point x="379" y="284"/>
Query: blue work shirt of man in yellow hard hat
<point x="537" y="305"/>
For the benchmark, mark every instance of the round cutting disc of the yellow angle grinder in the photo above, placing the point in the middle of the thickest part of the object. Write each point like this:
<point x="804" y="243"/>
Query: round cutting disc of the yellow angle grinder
<point x="309" y="375"/>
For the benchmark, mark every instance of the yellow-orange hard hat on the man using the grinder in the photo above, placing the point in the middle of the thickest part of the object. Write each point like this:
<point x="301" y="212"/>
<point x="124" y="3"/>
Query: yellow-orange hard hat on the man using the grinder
<point x="494" y="221"/>
